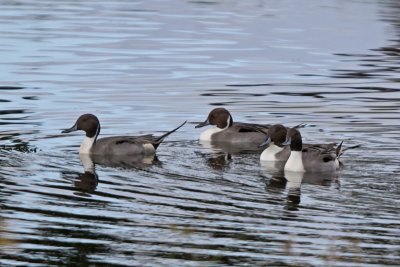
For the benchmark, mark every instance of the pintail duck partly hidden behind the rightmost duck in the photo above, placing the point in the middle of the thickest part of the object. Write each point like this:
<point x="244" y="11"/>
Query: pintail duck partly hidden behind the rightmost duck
<point x="276" y="151"/>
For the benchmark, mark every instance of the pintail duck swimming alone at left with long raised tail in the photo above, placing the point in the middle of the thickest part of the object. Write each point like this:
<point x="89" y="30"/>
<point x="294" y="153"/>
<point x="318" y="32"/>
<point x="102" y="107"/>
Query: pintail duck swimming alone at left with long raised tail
<point x="117" y="145"/>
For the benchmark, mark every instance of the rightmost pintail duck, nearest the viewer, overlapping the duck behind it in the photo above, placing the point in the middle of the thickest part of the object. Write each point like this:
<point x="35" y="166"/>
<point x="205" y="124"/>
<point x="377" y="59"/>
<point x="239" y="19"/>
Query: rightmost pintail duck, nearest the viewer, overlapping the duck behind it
<point x="311" y="159"/>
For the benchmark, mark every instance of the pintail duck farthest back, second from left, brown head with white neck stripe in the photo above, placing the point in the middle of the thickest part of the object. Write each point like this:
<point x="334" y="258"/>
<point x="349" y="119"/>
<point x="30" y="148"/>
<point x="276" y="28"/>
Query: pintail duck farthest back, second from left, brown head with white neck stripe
<point x="227" y="131"/>
